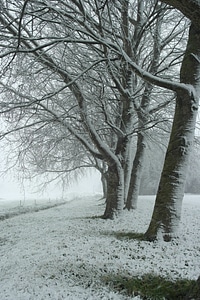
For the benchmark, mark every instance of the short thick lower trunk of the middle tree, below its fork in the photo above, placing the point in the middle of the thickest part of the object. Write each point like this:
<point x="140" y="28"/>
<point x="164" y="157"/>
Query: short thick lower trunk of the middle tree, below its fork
<point x="115" y="192"/>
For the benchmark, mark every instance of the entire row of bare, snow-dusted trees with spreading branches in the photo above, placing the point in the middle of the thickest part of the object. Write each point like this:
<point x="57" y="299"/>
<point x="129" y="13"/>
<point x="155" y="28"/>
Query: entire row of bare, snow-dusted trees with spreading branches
<point x="89" y="83"/>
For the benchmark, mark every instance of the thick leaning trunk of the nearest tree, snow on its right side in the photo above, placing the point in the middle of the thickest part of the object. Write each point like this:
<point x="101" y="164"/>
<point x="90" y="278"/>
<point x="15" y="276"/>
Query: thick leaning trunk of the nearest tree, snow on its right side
<point x="167" y="210"/>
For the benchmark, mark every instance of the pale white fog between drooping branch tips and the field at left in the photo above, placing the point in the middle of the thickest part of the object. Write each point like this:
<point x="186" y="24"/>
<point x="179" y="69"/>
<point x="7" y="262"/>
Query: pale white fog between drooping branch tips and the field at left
<point x="12" y="189"/>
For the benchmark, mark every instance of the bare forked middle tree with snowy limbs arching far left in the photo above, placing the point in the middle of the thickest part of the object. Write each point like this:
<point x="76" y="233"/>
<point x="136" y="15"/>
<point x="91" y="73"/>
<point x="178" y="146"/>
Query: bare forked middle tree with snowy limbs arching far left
<point x="63" y="57"/>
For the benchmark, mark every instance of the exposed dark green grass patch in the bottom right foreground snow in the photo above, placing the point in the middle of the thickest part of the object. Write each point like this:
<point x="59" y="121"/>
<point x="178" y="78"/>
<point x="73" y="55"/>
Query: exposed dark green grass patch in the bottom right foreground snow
<point x="155" y="287"/>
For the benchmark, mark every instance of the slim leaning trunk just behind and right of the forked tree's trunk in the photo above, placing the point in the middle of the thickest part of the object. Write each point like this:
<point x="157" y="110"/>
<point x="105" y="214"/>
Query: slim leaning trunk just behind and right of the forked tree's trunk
<point x="136" y="173"/>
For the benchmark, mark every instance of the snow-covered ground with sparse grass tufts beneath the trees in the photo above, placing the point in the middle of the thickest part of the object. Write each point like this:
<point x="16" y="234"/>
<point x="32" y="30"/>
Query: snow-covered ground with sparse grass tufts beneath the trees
<point x="63" y="253"/>
